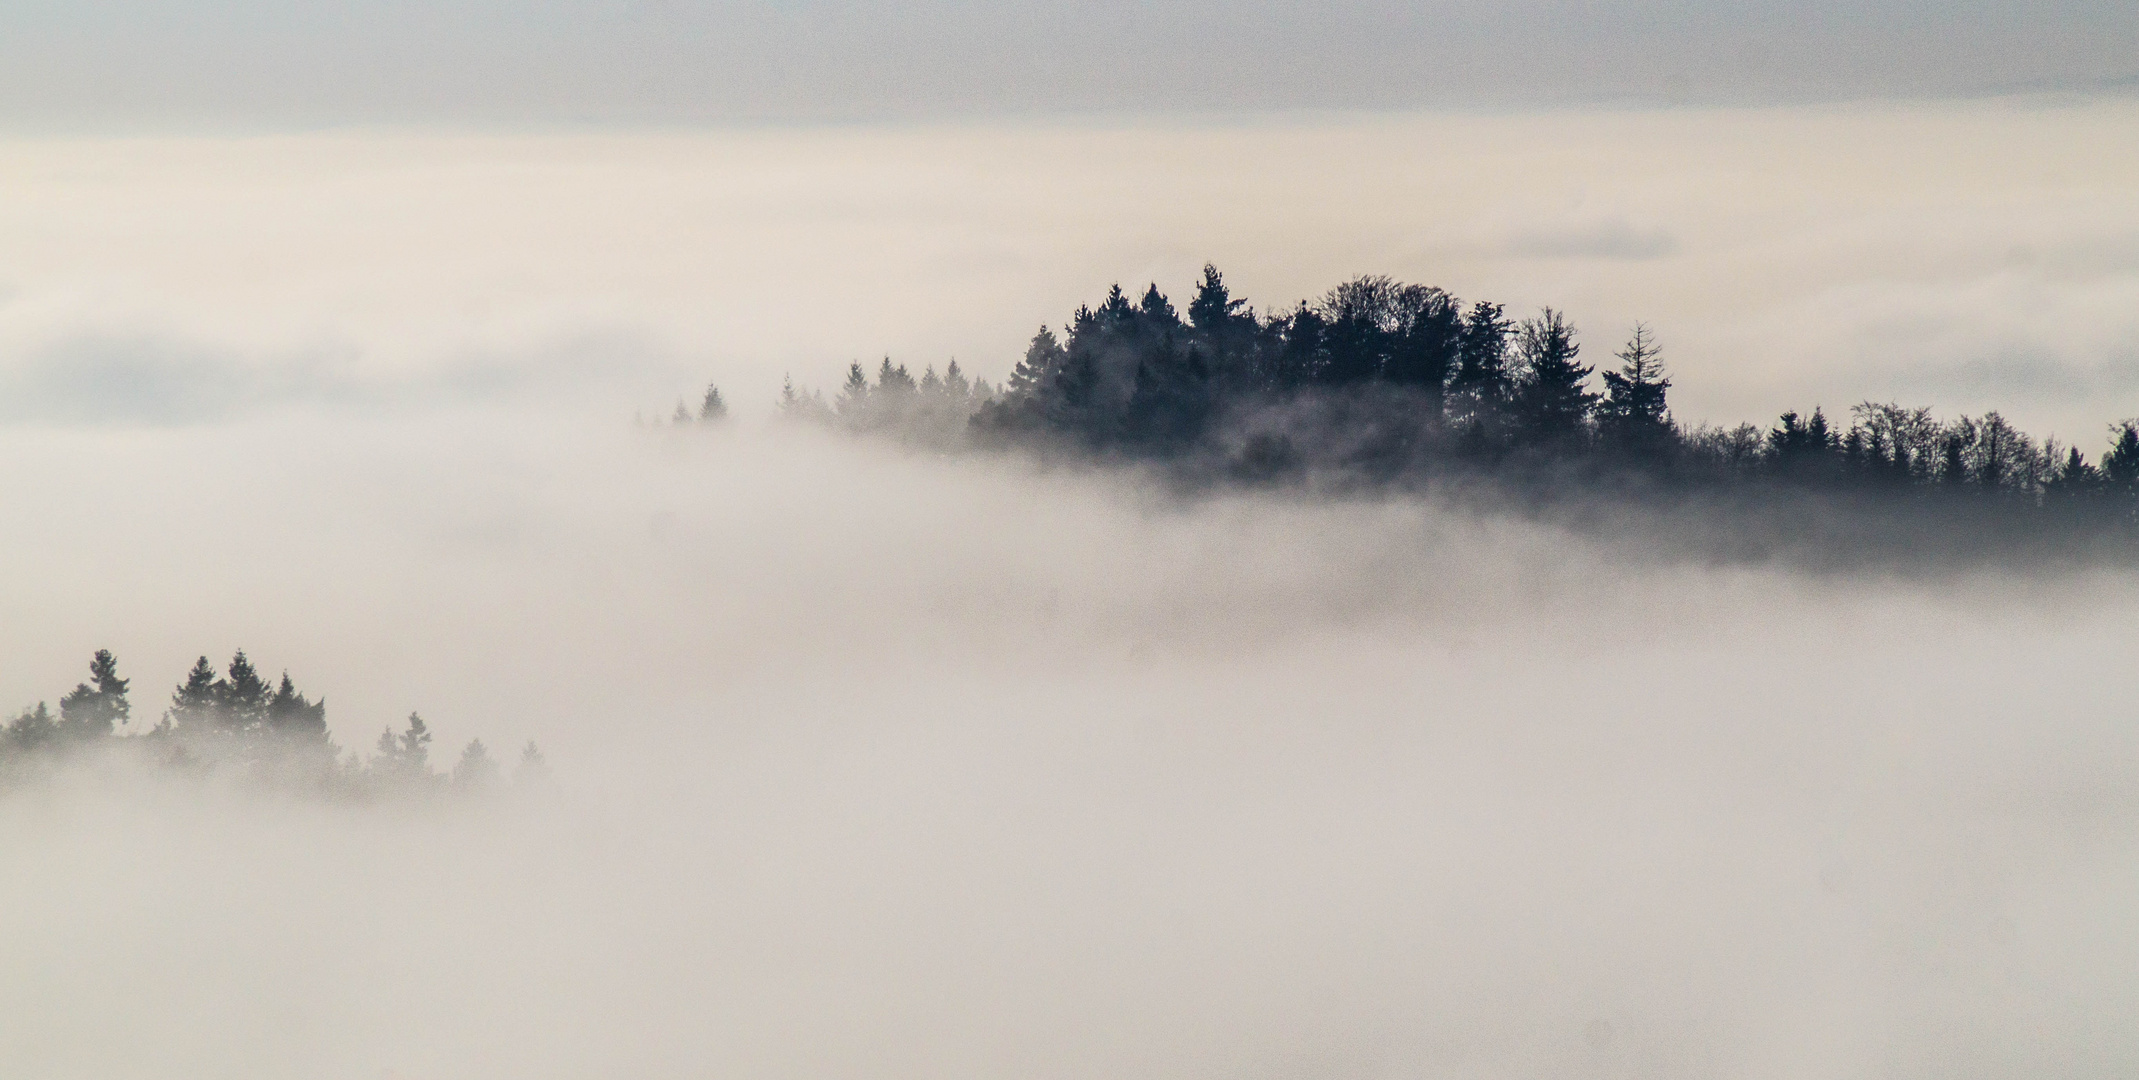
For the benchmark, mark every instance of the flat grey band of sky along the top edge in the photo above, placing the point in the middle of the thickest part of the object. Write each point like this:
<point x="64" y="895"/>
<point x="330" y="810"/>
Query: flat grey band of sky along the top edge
<point x="256" y="63"/>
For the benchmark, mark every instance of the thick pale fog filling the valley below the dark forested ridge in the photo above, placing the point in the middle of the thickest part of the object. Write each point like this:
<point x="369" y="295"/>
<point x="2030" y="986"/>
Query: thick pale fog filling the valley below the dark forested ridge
<point x="906" y="767"/>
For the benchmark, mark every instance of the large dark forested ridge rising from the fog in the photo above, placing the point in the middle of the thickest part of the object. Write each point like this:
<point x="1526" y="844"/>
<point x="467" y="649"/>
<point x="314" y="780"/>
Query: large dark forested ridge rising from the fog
<point x="1387" y="384"/>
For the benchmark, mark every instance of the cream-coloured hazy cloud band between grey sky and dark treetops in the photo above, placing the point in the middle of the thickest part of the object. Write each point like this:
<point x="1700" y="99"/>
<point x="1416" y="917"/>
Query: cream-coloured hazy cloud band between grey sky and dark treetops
<point x="1963" y="256"/>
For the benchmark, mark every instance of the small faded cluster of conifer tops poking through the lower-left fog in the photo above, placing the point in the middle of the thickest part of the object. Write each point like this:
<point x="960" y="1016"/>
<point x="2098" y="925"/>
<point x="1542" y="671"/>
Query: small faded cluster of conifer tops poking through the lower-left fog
<point x="238" y="724"/>
